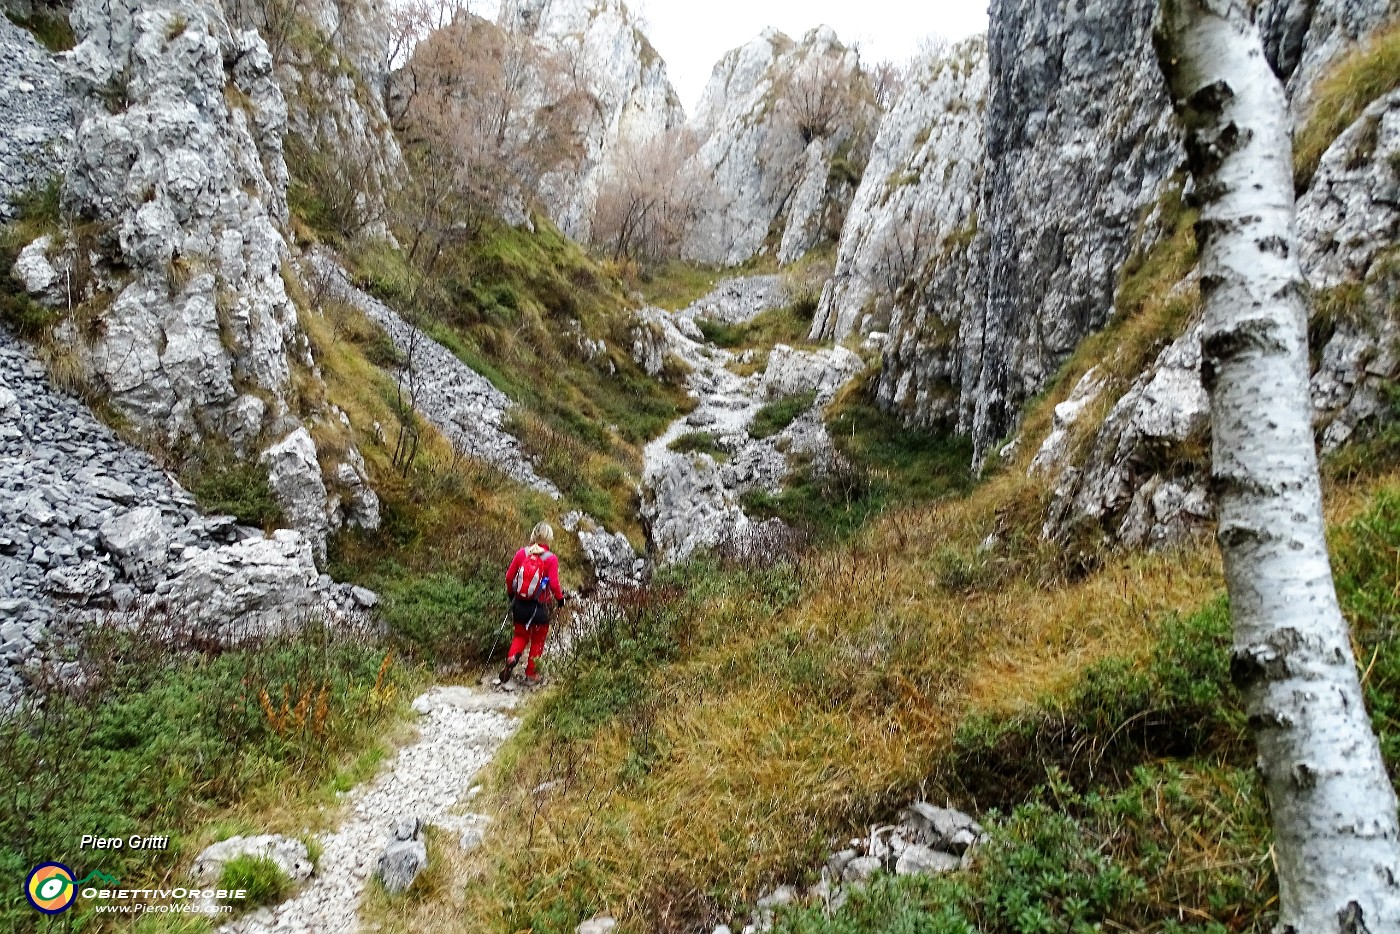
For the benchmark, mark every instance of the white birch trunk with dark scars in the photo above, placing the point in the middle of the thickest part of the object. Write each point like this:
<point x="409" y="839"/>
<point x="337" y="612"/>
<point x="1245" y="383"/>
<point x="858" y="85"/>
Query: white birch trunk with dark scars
<point x="1336" y="837"/>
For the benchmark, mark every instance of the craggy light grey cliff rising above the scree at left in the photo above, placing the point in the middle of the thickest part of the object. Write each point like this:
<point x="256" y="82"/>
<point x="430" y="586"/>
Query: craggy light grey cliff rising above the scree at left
<point x="170" y="272"/>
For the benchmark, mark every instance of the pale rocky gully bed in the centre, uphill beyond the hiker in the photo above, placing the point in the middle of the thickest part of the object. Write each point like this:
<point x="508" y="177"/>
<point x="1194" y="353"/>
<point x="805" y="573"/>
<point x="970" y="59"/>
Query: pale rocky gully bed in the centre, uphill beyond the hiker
<point x="692" y="499"/>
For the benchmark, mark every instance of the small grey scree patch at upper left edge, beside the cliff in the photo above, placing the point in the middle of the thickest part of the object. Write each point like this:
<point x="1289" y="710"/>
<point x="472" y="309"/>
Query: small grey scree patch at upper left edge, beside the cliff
<point x="34" y="113"/>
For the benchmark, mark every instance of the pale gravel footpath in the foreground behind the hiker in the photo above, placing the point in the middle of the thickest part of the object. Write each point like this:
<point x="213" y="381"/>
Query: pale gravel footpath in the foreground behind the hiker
<point x="460" y="732"/>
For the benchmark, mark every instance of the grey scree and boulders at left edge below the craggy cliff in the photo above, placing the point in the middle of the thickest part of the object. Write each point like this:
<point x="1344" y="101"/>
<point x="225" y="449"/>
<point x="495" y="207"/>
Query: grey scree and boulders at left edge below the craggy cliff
<point x="92" y="529"/>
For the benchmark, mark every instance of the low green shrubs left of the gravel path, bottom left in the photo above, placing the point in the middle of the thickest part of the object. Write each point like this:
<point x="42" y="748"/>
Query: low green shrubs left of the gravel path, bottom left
<point x="167" y="729"/>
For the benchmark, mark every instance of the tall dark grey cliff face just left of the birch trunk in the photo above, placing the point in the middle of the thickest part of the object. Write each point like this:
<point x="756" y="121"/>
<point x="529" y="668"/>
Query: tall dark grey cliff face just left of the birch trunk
<point x="1080" y="139"/>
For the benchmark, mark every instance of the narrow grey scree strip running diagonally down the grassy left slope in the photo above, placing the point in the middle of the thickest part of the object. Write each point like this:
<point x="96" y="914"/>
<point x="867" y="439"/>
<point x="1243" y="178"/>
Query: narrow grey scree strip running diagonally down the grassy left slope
<point x="458" y="401"/>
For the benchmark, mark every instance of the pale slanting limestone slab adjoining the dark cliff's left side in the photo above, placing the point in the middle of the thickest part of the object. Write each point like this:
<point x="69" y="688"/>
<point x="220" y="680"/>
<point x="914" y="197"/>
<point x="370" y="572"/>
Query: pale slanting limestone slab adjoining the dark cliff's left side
<point x="920" y="187"/>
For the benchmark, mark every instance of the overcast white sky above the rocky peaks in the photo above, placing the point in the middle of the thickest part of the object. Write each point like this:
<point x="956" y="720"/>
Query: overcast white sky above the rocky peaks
<point x="694" y="34"/>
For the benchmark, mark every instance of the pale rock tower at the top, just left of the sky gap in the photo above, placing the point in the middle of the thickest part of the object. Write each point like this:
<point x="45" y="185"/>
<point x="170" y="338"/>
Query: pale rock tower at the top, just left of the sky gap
<point x="626" y="79"/>
